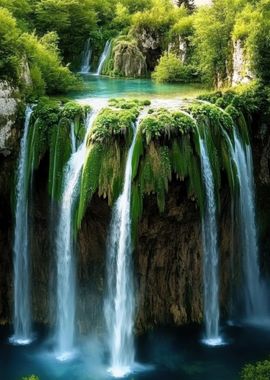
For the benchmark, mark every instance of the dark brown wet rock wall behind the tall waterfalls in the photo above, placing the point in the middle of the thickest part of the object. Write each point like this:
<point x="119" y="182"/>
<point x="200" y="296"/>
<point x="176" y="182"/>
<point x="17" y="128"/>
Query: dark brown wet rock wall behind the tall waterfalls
<point x="167" y="257"/>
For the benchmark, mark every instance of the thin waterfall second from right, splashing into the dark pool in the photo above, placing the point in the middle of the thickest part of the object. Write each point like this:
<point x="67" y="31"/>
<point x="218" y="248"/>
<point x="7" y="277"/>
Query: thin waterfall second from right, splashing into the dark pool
<point x="210" y="252"/>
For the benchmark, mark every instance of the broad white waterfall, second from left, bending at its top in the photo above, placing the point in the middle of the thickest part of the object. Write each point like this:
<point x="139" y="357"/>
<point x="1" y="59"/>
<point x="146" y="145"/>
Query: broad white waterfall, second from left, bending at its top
<point x="66" y="283"/>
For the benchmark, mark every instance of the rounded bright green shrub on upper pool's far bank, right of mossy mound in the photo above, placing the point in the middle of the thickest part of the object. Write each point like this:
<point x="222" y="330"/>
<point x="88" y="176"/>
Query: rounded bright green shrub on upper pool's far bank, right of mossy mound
<point x="171" y="69"/>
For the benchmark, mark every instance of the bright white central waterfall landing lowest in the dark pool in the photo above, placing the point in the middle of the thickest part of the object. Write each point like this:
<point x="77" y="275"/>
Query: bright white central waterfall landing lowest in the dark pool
<point x="119" y="307"/>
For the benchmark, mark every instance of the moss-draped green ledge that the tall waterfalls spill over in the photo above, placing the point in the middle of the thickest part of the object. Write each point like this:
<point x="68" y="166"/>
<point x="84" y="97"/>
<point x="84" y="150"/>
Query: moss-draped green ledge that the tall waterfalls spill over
<point x="167" y="145"/>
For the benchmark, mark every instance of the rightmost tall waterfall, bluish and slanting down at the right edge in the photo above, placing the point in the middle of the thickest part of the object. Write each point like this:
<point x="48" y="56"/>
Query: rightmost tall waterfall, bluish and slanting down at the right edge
<point x="256" y="299"/>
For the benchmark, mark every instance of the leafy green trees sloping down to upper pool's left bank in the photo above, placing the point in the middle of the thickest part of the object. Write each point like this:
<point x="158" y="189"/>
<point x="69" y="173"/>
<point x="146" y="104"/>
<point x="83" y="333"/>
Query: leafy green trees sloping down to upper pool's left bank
<point x="21" y="52"/>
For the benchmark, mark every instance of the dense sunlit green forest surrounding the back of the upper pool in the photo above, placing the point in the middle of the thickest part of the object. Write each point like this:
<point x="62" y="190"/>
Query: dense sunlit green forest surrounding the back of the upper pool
<point x="174" y="44"/>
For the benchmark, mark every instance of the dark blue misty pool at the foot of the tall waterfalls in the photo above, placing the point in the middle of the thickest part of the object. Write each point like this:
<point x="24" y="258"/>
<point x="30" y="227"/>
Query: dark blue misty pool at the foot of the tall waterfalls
<point x="171" y="355"/>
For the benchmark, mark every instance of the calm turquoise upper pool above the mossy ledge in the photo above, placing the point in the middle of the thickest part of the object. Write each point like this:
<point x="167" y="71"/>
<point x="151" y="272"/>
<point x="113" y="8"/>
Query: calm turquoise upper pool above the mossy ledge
<point x="105" y="87"/>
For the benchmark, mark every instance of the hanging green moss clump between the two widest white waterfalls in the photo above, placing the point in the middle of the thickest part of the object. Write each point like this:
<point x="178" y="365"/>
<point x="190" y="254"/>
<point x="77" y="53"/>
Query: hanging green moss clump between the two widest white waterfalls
<point x="107" y="146"/>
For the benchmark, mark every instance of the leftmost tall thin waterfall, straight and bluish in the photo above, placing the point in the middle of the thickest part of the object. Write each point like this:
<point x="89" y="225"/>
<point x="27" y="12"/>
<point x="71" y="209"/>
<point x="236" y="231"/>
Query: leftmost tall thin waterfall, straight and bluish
<point x="22" y="303"/>
